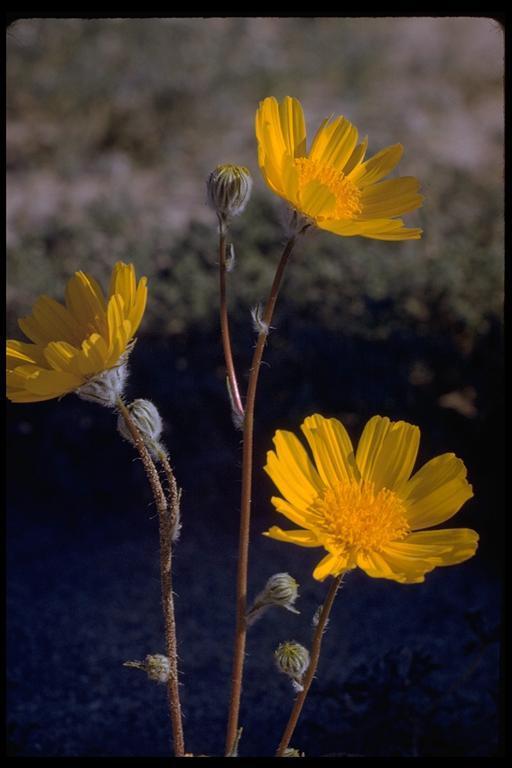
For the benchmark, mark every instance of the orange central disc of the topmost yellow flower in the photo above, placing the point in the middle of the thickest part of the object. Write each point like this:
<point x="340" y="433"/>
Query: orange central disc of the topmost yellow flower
<point x="343" y="198"/>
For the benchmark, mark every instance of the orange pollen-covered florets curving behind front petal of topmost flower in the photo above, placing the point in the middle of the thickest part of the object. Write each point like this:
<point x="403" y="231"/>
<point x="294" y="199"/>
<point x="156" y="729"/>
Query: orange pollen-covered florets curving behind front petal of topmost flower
<point x="347" y="196"/>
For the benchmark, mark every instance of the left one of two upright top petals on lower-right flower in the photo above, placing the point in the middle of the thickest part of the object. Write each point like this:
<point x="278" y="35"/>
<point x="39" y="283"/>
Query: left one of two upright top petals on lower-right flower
<point x="331" y="448"/>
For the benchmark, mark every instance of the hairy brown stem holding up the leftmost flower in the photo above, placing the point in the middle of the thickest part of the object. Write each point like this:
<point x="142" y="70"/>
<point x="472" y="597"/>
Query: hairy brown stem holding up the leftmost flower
<point x="165" y="579"/>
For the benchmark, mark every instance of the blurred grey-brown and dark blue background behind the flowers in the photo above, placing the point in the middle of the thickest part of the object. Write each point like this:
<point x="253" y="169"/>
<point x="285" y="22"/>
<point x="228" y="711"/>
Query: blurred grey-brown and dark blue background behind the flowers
<point x="112" y="128"/>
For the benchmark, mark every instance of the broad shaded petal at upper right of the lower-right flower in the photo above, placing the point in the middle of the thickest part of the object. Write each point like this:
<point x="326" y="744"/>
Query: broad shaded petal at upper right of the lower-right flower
<point x="436" y="492"/>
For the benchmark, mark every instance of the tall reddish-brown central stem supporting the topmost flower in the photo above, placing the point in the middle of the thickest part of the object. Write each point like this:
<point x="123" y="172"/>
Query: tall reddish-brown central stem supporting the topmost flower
<point x="245" y="512"/>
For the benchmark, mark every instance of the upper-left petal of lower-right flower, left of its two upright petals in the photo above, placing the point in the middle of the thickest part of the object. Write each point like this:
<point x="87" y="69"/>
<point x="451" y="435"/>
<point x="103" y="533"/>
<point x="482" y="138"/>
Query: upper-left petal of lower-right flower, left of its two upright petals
<point x="292" y="471"/>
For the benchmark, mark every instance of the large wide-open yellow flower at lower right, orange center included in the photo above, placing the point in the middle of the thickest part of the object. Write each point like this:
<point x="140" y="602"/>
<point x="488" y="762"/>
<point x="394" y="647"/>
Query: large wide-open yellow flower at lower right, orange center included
<point x="365" y="509"/>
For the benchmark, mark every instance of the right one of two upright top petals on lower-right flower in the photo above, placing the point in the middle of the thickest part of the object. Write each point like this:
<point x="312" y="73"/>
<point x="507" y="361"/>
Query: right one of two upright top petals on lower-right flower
<point x="387" y="452"/>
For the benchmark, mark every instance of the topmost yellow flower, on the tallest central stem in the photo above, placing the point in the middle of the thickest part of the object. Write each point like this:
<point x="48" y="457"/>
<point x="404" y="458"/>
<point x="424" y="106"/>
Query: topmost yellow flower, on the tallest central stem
<point x="332" y="186"/>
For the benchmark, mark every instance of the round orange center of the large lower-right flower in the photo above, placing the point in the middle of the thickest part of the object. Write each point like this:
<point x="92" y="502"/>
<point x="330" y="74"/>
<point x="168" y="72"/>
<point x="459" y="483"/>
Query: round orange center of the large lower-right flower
<point x="355" y="518"/>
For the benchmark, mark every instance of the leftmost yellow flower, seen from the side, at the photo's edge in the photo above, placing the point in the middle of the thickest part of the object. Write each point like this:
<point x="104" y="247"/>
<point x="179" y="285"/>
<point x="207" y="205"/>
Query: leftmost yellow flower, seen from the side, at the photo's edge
<point x="75" y="344"/>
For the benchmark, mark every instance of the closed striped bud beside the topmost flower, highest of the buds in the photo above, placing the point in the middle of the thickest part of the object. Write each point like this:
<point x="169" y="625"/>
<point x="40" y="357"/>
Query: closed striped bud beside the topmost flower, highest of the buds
<point x="229" y="188"/>
